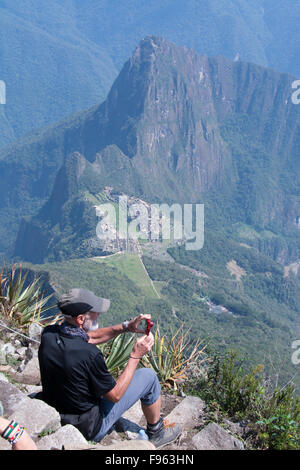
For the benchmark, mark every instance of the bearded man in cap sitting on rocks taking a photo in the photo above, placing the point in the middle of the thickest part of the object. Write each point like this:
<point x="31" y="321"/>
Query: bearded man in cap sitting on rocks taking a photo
<point x="76" y="381"/>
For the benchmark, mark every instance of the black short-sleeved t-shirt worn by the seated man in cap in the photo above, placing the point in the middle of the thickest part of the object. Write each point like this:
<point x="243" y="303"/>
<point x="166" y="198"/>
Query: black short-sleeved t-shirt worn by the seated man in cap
<point x="73" y="372"/>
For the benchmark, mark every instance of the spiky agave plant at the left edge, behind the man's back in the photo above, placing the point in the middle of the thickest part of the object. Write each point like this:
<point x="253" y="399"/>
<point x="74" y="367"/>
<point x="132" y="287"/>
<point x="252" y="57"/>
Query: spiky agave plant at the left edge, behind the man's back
<point x="19" y="304"/>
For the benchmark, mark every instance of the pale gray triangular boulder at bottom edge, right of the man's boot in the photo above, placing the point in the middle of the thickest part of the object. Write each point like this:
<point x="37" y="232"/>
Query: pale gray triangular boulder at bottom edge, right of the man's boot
<point x="214" y="437"/>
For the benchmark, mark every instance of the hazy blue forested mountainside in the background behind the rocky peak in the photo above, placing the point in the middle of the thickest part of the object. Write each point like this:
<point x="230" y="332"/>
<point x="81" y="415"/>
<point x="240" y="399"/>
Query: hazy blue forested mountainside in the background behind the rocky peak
<point x="62" y="57"/>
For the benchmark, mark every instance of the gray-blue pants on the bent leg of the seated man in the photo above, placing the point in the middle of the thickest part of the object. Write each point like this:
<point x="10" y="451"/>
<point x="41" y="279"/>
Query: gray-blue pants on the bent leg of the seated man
<point x="144" y="386"/>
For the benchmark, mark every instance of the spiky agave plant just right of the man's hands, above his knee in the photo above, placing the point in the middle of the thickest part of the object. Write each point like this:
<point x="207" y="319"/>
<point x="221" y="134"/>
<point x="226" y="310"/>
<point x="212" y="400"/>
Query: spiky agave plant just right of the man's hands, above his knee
<point x="171" y="357"/>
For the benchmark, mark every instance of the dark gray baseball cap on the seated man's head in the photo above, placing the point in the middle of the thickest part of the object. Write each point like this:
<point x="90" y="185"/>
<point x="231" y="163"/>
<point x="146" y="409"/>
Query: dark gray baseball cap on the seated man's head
<point x="80" y="301"/>
